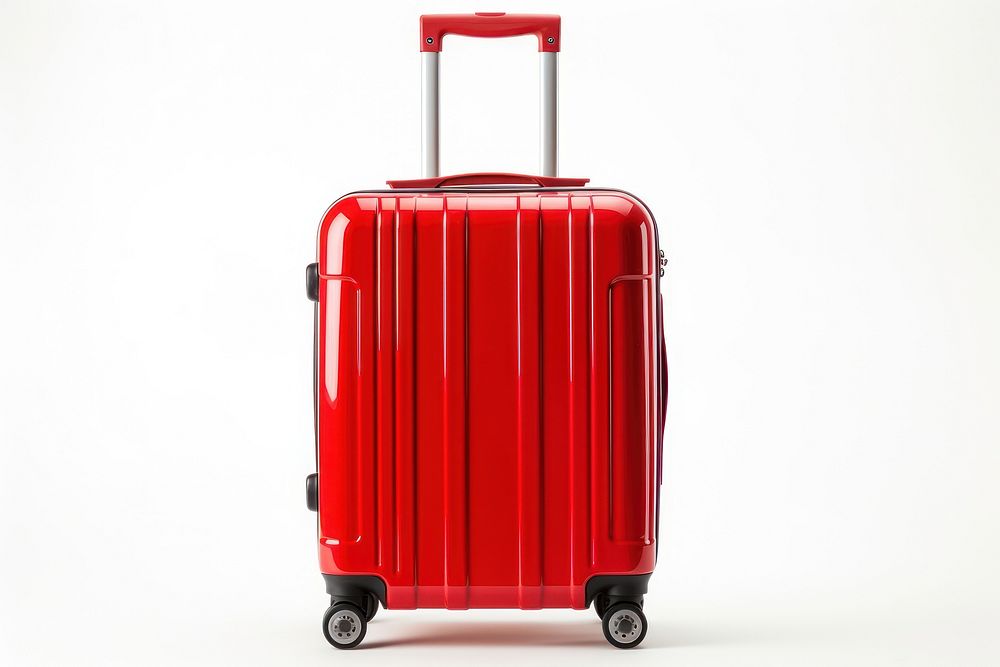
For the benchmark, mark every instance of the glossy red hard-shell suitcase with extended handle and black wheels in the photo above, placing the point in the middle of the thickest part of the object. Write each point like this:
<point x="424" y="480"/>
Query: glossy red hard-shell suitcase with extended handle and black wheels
<point x="490" y="385"/>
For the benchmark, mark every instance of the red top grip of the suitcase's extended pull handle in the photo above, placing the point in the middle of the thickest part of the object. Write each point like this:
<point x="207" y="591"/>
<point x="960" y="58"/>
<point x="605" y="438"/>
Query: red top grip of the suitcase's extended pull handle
<point x="433" y="28"/>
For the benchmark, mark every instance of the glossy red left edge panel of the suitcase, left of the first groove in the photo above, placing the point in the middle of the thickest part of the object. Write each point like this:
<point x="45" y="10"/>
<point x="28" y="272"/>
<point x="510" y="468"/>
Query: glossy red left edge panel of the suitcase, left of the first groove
<point x="347" y="388"/>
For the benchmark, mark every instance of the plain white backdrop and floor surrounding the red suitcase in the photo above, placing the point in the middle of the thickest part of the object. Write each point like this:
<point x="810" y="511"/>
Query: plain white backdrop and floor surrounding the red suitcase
<point x="825" y="175"/>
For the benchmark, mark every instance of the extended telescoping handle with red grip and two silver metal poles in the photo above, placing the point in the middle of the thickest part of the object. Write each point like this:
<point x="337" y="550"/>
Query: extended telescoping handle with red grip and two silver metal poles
<point x="433" y="28"/>
